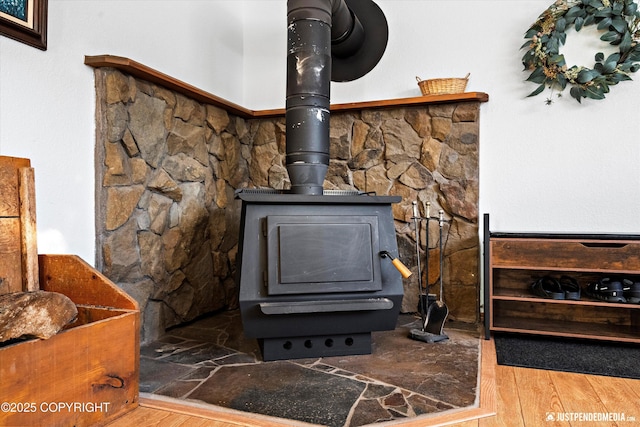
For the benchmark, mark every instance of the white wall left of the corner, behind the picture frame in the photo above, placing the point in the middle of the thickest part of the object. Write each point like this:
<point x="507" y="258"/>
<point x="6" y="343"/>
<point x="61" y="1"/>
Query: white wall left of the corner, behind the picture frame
<point x="47" y="99"/>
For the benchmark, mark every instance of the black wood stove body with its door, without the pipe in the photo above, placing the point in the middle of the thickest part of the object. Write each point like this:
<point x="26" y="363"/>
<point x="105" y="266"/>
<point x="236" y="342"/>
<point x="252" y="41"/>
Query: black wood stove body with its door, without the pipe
<point x="313" y="280"/>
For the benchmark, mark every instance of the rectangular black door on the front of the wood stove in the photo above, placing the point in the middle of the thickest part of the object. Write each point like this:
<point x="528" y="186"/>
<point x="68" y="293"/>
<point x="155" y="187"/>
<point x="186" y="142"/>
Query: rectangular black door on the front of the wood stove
<point x="322" y="254"/>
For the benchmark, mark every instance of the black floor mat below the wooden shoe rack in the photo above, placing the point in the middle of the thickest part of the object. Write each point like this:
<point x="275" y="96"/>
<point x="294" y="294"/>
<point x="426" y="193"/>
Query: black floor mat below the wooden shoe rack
<point x="569" y="355"/>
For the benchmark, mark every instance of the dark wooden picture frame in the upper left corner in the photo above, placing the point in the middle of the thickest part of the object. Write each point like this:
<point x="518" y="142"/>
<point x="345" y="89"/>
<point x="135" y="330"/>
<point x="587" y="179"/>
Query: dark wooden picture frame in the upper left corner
<point x="31" y="28"/>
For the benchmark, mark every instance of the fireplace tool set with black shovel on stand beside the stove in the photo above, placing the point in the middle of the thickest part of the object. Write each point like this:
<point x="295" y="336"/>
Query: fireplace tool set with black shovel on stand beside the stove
<point x="437" y="312"/>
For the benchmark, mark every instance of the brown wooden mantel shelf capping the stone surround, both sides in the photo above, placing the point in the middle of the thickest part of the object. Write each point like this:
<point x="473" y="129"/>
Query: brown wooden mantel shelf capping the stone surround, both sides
<point x="139" y="70"/>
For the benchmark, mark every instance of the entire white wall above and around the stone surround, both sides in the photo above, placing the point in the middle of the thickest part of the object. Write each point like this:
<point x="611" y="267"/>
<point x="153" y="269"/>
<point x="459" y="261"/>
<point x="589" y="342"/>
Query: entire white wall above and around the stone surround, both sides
<point x="565" y="167"/>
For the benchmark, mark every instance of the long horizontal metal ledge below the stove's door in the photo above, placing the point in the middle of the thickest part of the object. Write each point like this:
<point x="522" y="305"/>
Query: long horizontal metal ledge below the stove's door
<point x="325" y="306"/>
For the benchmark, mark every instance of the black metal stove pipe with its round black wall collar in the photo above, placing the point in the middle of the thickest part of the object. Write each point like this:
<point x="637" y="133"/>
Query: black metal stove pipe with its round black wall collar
<point x="318" y="30"/>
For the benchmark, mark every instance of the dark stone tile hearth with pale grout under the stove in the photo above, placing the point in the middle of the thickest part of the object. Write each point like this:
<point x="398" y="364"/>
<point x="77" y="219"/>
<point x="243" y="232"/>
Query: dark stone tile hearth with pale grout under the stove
<point x="211" y="361"/>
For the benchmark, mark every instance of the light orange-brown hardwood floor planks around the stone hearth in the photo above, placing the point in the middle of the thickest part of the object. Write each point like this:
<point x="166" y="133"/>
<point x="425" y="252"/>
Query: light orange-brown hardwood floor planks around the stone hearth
<point x="509" y="397"/>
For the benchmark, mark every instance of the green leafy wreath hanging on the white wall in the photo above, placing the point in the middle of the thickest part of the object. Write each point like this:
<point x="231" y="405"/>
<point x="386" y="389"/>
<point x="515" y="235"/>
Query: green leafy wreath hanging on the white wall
<point x="621" y="21"/>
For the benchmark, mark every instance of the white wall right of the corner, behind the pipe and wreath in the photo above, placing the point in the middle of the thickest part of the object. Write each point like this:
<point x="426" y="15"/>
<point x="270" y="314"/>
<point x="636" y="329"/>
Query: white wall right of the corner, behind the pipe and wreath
<point x="561" y="168"/>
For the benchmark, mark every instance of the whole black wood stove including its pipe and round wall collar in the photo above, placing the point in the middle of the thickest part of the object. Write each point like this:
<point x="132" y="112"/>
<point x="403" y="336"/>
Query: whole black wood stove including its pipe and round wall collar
<point x="313" y="271"/>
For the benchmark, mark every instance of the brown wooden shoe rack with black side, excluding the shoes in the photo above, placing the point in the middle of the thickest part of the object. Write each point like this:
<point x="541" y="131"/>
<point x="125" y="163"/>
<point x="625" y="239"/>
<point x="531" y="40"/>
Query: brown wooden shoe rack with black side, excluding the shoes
<point x="513" y="261"/>
